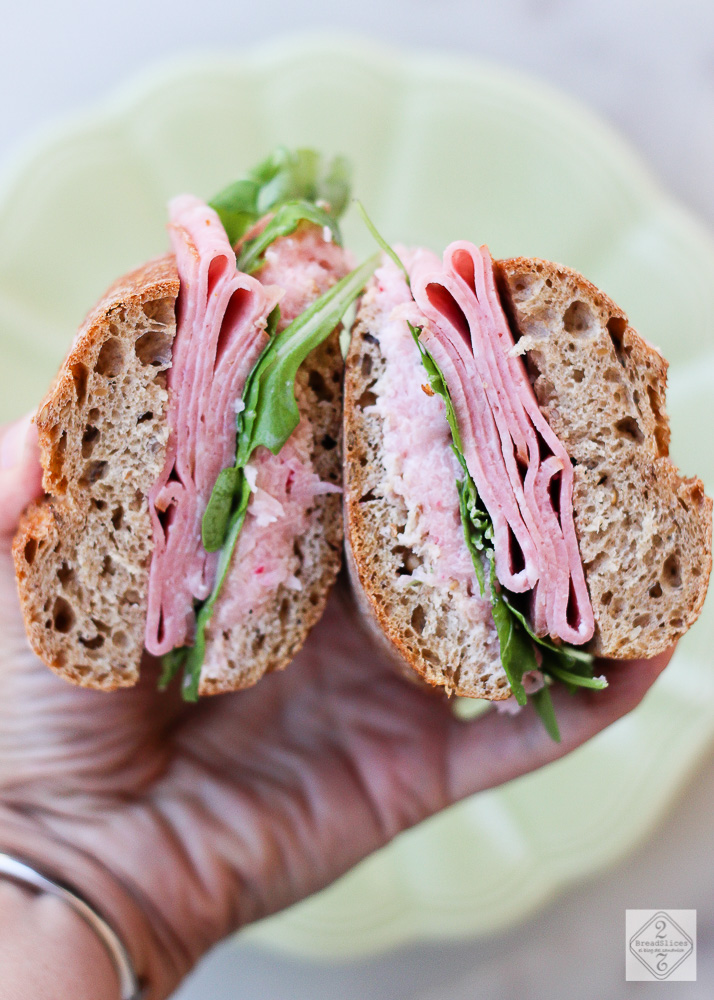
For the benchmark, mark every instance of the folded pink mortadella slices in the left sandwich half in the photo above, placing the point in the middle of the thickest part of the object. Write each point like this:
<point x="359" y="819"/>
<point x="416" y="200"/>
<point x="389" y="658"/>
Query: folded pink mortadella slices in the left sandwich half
<point x="221" y="320"/>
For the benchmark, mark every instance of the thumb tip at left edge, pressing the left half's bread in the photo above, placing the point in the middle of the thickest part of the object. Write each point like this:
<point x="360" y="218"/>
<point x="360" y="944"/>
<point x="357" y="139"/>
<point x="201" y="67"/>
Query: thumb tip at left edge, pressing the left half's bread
<point x="20" y="471"/>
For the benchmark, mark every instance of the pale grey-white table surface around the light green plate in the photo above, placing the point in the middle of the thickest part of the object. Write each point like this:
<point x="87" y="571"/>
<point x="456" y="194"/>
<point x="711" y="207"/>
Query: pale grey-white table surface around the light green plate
<point x="649" y="69"/>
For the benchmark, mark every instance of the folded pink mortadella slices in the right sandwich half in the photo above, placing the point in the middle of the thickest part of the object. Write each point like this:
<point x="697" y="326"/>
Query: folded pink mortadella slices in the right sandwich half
<point x="520" y="468"/>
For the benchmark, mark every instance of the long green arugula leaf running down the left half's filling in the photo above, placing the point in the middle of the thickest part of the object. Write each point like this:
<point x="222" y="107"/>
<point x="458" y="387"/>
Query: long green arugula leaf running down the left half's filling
<point x="269" y="417"/>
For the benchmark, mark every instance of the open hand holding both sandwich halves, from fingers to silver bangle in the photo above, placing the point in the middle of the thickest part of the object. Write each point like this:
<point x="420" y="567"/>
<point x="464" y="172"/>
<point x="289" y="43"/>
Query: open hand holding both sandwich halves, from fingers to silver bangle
<point x="183" y="823"/>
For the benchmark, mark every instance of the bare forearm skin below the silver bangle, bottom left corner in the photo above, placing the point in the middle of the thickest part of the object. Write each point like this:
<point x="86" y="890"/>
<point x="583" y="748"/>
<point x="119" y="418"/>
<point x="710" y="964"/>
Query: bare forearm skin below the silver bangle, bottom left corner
<point x="47" y="950"/>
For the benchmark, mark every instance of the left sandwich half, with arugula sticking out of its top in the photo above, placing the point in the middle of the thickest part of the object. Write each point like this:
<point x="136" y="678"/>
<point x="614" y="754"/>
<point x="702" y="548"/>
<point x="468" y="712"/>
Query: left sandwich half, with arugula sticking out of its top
<point x="190" y="446"/>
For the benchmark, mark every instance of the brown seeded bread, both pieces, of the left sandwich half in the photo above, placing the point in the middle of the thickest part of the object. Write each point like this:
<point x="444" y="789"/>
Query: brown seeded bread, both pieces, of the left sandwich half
<point x="82" y="552"/>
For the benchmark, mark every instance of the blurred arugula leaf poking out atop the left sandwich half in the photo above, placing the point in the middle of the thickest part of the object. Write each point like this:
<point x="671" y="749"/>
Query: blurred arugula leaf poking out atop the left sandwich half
<point x="284" y="176"/>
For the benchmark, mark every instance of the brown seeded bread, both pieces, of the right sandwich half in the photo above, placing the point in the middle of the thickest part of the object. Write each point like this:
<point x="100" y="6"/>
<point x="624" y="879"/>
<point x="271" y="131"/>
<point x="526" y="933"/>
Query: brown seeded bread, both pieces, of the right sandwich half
<point x="644" y="531"/>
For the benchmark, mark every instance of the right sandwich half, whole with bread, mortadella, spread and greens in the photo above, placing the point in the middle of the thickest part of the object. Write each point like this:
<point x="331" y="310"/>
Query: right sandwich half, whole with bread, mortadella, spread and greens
<point x="511" y="509"/>
